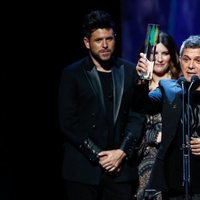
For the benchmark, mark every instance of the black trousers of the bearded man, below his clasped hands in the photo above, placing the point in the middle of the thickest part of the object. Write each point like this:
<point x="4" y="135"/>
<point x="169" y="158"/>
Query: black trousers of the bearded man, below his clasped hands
<point x="106" y="190"/>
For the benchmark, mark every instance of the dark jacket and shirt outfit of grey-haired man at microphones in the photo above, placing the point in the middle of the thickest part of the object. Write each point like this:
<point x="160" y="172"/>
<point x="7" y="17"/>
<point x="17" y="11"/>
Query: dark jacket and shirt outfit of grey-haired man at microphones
<point x="167" y="171"/>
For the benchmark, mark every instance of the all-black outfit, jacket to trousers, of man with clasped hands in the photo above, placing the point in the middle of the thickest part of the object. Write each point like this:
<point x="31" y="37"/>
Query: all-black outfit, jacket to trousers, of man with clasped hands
<point x="94" y="116"/>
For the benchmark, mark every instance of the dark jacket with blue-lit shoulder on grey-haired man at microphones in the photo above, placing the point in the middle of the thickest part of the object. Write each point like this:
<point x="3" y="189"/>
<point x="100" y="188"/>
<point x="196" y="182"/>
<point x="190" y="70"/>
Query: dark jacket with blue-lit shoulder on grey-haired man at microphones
<point x="167" y="99"/>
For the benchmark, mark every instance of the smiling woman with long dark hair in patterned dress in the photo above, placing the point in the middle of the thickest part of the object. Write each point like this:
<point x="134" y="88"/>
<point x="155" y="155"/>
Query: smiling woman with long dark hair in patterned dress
<point x="166" y="66"/>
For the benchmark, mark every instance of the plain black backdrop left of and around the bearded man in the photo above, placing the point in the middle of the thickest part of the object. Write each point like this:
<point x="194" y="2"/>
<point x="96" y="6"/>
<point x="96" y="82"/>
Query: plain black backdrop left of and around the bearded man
<point x="46" y="39"/>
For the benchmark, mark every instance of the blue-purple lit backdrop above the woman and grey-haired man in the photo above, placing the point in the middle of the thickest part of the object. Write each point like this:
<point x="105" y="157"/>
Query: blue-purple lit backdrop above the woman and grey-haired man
<point x="179" y="18"/>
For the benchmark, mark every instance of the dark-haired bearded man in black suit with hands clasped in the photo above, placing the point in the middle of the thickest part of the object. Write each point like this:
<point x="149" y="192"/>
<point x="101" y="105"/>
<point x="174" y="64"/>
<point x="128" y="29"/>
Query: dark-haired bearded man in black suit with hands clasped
<point x="96" y="116"/>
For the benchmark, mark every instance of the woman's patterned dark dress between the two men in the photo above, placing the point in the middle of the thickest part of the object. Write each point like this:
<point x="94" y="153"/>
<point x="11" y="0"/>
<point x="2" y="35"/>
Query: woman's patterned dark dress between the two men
<point x="147" y="153"/>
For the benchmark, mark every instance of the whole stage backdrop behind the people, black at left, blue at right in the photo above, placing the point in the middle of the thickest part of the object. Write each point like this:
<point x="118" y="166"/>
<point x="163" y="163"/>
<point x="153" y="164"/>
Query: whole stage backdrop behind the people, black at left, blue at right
<point x="51" y="35"/>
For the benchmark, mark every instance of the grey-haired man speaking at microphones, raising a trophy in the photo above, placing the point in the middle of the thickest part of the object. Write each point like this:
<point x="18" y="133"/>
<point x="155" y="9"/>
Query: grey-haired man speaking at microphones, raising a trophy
<point x="179" y="102"/>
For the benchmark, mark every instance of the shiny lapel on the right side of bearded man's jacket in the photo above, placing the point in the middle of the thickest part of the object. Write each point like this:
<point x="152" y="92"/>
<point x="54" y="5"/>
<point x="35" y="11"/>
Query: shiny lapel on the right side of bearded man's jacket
<point x="118" y="88"/>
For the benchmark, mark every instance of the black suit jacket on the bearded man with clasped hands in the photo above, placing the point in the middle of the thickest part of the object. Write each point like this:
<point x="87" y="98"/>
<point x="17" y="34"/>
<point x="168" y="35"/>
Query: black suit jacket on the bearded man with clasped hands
<point x="82" y="118"/>
